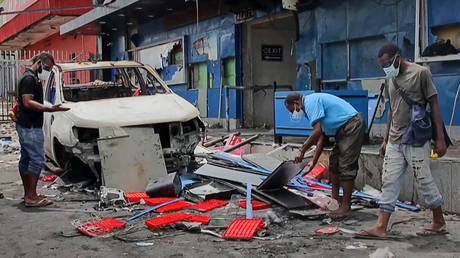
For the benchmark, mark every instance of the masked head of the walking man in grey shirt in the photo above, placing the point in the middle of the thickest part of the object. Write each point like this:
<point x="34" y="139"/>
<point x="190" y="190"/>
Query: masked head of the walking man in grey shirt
<point x="390" y="59"/>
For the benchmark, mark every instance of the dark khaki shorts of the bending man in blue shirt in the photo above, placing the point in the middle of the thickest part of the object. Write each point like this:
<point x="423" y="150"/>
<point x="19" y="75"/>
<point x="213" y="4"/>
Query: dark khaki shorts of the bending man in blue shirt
<point x="348" y="142"/>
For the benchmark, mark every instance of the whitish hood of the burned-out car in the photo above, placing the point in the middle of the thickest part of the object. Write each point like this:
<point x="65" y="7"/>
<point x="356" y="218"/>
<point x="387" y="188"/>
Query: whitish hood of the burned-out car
<point x="129" y="111"/>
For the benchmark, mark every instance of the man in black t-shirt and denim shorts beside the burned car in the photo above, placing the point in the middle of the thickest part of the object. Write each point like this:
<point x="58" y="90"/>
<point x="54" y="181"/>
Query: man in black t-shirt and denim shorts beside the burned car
<point x="29" y="122"/>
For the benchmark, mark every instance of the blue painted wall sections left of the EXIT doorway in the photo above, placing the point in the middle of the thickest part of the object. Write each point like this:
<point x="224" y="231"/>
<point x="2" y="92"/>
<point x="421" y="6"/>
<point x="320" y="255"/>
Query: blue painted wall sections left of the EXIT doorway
<point x="219" y="30"/>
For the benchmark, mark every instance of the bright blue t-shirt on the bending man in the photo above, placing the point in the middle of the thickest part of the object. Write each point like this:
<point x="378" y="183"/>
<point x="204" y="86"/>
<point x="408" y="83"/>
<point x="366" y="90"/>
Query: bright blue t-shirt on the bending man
<point x="331" y="110"/>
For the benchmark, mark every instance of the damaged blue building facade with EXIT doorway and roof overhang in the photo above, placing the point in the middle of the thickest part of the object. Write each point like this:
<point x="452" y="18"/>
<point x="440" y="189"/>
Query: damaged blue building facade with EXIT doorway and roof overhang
<point x="200" y="46"/>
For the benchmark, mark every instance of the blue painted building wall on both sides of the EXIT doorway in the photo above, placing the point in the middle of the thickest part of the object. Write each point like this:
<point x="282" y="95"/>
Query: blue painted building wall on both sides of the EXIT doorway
<point x="323" y="36"/>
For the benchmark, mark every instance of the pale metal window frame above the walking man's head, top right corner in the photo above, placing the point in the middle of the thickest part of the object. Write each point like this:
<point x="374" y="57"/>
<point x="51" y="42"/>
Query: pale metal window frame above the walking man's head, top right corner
<point x="421" y="36"/>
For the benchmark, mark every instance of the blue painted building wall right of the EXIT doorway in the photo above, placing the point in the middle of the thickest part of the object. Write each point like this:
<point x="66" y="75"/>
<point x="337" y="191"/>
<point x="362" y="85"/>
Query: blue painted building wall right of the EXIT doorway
<point x="367" y="25"/>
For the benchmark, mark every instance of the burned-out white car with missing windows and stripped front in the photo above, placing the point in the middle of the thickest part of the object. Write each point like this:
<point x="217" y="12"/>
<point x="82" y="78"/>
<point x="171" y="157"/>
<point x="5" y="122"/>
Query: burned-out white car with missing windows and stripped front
<point x="120" y="94"/>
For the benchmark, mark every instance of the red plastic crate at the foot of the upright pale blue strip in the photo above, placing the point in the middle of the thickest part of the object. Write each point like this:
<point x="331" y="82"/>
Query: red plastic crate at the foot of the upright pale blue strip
<point x="243" y="229"/>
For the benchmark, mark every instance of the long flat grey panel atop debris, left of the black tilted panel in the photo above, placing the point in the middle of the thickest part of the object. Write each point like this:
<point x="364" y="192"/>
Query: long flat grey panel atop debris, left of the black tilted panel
<point x="229" y="174"/>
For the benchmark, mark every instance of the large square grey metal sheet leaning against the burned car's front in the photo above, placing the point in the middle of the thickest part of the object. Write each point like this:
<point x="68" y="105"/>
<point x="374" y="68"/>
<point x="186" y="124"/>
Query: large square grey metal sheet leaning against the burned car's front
<point x="130" y="157"/>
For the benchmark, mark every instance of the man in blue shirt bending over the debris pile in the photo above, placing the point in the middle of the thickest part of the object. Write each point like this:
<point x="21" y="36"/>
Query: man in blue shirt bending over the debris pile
<point x="332" y="116"/>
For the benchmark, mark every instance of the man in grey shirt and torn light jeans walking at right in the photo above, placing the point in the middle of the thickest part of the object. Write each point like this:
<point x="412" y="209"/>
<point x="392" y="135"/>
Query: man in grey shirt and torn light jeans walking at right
<point x="417" y="82"/>
